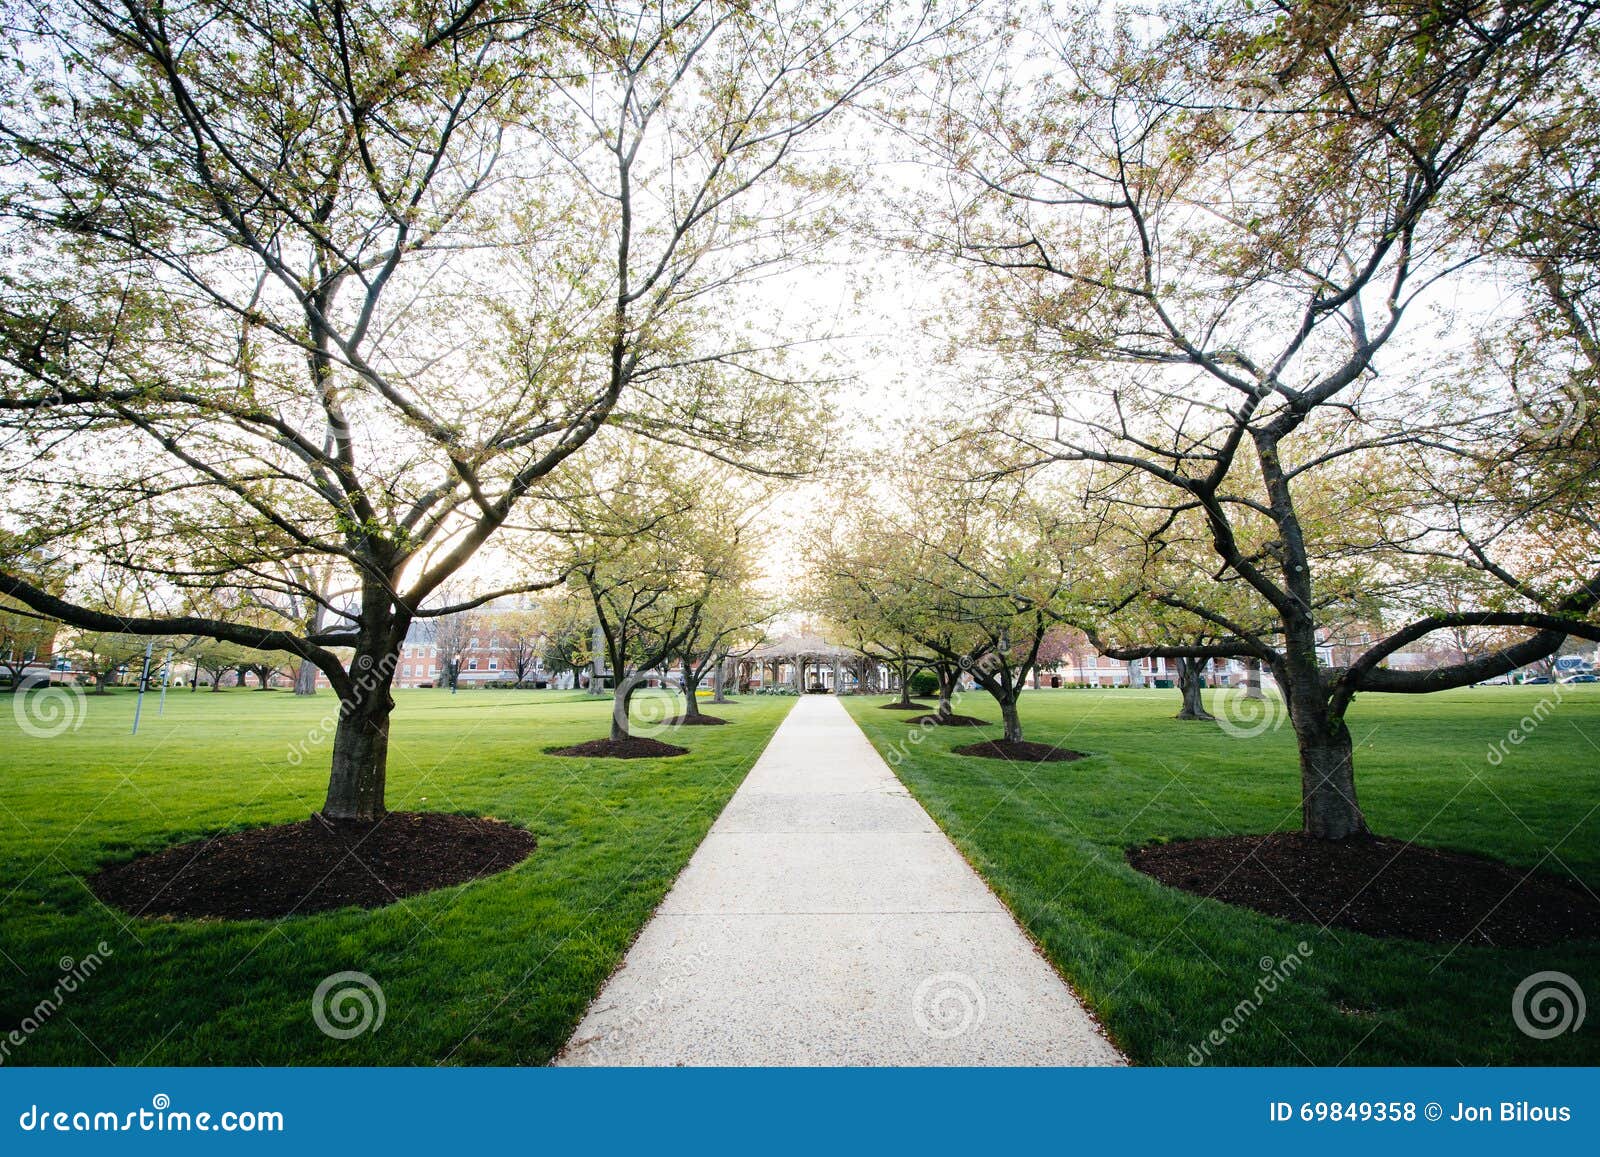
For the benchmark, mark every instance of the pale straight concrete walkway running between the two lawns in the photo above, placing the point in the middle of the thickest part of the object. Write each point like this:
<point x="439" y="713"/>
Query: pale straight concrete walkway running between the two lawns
<point x="828" y="921"/>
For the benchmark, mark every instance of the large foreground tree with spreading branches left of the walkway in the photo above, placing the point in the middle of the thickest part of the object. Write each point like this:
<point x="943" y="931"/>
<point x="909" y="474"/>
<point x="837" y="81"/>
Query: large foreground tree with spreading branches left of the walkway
<point x="346" y="287"/>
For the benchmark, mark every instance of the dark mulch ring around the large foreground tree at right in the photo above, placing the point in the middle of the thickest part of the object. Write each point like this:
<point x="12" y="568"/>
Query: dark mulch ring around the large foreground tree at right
<point x="1380" y="887"/>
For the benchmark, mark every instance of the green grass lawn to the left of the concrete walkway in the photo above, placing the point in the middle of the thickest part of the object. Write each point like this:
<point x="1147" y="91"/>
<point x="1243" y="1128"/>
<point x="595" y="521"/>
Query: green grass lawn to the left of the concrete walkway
<point x="495" y="972"/>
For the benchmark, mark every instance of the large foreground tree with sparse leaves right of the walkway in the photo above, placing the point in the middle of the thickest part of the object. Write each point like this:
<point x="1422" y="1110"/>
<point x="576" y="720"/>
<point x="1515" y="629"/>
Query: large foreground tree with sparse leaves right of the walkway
<point x="1191" y="286"/>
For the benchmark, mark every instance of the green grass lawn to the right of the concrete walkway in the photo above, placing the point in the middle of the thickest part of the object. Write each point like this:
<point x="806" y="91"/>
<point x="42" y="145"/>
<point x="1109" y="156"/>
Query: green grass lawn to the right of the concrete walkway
<point x="1164" y="969"/>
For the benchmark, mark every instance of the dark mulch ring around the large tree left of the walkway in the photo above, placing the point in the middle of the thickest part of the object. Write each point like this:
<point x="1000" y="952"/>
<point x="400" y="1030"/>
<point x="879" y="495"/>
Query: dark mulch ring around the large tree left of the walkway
<point x="314" y="867"/>
